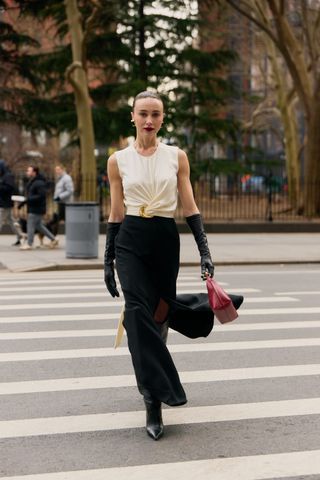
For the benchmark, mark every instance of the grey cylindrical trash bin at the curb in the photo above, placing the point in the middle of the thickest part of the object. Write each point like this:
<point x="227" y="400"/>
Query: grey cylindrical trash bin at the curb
<point x="82" y="230"/>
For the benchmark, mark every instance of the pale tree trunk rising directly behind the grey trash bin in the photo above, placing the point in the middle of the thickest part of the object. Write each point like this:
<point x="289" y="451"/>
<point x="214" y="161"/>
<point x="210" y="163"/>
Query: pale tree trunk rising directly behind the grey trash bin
<point x="78" y="79"/>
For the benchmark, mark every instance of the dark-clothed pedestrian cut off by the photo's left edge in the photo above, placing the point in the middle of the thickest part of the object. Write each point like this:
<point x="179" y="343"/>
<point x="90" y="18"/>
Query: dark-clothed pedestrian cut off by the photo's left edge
<point x="7" y="189"/>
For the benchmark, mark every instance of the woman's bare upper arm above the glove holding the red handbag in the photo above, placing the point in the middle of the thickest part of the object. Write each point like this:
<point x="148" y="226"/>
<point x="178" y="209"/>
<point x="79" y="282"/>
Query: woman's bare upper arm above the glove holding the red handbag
<point x="188" y="203"/>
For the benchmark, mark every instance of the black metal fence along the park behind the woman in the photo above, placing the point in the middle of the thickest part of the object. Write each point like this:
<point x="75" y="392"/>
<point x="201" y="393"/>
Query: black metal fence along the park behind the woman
<point x="219" y="198"/>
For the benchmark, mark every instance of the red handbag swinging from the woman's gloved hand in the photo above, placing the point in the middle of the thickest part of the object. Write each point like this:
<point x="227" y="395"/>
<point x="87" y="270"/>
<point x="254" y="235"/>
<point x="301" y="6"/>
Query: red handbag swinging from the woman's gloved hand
<point x="220" y="302"/>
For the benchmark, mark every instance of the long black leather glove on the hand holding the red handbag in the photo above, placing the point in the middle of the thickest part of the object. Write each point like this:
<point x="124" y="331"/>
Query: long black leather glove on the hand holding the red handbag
<point x="196" y="226"/>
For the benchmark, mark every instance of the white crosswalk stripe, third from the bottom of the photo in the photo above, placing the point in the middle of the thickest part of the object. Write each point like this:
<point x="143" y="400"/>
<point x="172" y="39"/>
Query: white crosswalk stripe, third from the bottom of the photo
<point x="116" y="381"/>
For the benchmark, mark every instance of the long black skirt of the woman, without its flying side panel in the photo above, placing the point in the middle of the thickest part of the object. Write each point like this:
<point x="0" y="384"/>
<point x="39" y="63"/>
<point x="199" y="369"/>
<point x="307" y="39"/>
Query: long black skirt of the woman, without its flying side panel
<point x="147" y="261"/>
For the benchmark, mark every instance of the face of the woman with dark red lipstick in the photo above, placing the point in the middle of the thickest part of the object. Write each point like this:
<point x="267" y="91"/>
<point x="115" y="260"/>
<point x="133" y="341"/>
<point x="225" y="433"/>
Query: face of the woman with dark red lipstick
<point x="148" y="116"/>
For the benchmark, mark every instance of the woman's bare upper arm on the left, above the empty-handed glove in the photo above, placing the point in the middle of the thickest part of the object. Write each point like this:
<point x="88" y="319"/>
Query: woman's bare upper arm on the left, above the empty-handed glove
<point x="116" y="191"/>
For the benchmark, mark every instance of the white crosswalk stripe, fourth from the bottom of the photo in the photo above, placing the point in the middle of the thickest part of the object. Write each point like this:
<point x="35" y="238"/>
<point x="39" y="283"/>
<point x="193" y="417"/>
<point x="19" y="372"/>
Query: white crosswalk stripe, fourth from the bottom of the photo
<point x="179" y="348"/>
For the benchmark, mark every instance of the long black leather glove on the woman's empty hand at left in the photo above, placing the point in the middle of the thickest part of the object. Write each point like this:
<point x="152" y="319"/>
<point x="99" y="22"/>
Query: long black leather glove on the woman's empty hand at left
<point x="109" y="256"/>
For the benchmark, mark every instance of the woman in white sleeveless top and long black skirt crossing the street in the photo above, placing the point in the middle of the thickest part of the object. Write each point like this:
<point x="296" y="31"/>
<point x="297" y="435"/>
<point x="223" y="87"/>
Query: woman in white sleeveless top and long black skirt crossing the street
<point x="145" y="178"/>
